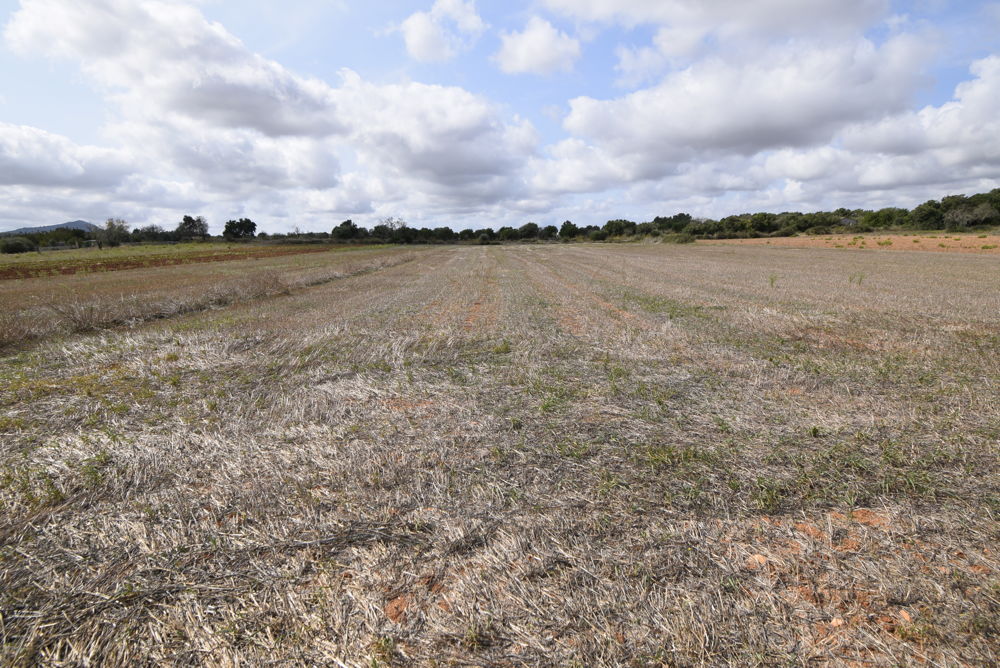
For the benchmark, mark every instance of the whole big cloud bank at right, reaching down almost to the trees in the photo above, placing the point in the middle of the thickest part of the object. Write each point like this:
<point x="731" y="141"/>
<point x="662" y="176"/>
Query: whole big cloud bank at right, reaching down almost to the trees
<point x="799" y="128"/>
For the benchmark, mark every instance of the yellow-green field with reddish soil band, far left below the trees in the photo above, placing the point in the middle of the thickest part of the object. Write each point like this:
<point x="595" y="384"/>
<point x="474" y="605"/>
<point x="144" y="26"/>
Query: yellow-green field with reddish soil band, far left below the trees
<point x="91" y="260"/>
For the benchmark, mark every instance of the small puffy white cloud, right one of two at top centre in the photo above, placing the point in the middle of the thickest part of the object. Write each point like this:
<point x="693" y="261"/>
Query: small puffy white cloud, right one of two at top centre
<point x="540" y="49"/>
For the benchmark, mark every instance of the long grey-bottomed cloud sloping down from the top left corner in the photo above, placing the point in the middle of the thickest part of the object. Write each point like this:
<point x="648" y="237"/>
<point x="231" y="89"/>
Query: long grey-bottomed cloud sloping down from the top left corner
<point x="161" y="55"/>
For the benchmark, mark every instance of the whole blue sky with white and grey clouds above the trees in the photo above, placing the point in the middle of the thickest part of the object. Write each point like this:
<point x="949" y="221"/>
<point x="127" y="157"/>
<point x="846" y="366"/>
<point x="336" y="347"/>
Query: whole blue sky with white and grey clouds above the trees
<point x="468" y="113"/>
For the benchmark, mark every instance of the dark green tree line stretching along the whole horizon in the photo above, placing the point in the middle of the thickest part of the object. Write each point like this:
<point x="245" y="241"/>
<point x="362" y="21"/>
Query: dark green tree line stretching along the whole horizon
<point x="954" y="213"/>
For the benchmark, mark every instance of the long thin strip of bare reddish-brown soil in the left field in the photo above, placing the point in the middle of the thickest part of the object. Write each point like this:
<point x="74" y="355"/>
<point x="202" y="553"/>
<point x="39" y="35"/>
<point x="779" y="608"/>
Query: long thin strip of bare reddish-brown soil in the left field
<point x="94" y="265"/>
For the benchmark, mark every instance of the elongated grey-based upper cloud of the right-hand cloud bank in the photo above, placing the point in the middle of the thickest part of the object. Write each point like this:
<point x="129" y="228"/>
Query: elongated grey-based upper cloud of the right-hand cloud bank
<point x="792" y="95"/>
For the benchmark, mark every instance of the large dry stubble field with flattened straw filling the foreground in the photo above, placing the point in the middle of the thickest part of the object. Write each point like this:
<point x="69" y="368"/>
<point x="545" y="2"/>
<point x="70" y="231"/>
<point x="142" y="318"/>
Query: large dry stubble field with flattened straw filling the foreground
<point x="557" y="455"/>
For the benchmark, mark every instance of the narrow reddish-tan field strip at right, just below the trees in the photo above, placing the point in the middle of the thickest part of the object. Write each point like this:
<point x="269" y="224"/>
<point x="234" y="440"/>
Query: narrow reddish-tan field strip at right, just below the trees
<point x="938" y="242"/>
